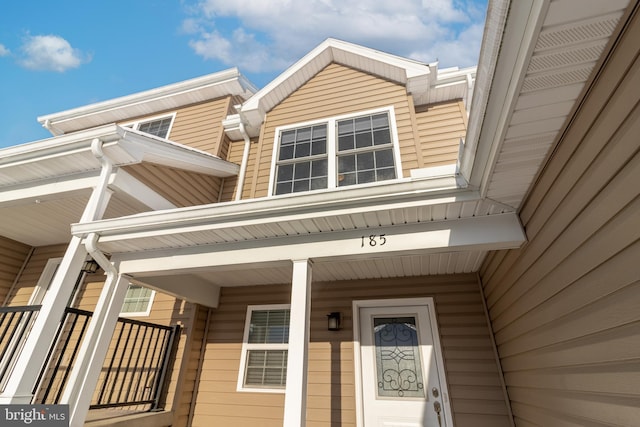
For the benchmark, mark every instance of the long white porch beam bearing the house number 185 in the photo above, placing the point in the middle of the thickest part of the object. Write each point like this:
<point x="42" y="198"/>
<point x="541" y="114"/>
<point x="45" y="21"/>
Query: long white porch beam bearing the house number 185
<point x="492" y="232"/>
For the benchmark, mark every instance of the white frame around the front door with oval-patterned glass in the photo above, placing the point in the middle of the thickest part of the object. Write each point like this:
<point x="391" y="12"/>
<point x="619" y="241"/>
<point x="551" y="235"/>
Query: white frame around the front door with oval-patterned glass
<point x="398" y="302"/>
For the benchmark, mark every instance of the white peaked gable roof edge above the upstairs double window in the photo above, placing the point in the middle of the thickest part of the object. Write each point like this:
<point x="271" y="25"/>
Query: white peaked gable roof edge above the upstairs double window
<point x="425" y="82"/>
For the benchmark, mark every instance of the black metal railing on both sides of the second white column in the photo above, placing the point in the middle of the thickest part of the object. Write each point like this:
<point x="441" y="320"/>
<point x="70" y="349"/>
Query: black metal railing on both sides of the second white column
<point x="134" y="371"/>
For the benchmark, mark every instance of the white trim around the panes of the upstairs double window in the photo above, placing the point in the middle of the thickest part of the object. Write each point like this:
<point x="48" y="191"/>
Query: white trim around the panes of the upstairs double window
<point x="332" y="151"/>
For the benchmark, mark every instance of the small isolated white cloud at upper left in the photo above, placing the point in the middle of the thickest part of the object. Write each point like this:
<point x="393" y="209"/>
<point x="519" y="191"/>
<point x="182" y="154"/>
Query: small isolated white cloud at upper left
<point x="50" y="53"/>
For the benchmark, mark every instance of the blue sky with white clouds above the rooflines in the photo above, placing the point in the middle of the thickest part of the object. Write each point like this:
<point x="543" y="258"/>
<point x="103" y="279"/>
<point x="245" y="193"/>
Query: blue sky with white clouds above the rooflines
<point x="60" y="55"/>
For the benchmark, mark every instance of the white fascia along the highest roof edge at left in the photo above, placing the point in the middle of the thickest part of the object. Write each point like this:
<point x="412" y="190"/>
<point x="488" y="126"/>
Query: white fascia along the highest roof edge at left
<point x="244" y="87"/>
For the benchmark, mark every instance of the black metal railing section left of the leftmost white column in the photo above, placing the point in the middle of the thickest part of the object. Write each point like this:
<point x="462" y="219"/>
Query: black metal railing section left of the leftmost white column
<point x="15" y="324"/>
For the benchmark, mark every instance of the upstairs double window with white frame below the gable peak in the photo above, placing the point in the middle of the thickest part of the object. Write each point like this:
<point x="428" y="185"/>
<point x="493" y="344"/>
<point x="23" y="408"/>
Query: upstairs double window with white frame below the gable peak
<point x="336" y="152"/>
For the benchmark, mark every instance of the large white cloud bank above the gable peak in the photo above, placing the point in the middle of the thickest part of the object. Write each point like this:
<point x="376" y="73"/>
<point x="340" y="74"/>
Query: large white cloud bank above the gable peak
<point x="259" y="35"/>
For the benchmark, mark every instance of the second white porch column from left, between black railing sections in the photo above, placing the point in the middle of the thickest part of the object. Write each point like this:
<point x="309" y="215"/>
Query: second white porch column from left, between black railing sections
<point x="86" y="371"/>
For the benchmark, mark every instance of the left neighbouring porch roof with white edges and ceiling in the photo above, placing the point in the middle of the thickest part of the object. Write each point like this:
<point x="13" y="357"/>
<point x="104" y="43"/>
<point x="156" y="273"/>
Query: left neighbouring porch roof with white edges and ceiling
<point x="45" y="185"/>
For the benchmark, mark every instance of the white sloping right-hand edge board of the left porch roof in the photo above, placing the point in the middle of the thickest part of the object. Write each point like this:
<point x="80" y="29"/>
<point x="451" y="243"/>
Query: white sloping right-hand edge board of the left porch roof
<point x="168" y="153"/>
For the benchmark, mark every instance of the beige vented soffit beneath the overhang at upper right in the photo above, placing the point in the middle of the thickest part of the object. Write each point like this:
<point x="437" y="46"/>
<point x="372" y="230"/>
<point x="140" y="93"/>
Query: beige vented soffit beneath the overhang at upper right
<point x="572" y="39"/>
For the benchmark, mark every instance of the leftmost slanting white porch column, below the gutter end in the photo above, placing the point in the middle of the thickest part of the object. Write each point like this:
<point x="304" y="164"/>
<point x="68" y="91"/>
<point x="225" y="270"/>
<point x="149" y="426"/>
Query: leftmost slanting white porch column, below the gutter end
<point x="22" y="378"/>
